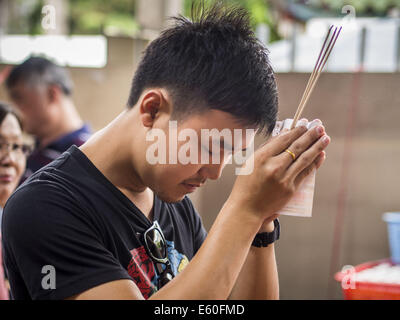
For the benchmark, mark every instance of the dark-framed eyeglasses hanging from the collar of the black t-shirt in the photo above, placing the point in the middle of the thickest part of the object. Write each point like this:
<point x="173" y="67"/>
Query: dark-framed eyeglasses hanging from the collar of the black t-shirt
<point x="156" y="247"/>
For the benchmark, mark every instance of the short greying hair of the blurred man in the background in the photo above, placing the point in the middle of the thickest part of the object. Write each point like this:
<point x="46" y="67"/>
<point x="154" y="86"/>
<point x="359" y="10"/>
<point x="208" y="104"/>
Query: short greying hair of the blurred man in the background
<point x="39" y="70"/>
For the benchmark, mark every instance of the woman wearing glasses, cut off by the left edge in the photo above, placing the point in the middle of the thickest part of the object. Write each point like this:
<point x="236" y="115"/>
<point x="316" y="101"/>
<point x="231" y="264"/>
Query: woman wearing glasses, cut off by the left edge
<point x="13" y="152"/>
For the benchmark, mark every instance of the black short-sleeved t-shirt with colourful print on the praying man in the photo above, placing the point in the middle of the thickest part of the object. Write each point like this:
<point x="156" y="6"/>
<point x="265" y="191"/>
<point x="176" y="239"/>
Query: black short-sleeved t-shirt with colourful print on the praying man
<point x="70" y="221"/>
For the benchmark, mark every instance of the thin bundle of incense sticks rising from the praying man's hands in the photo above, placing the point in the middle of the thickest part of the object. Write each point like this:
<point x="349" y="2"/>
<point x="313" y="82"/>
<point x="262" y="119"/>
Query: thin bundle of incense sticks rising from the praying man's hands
<point x="319" y="66"/>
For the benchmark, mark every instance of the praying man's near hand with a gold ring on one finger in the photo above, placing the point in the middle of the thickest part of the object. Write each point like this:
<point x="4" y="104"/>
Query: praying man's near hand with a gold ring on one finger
<point x="276" y="176"/>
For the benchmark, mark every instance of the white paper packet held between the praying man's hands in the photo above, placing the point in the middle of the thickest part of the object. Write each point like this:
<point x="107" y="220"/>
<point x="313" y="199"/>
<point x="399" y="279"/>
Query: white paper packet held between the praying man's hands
<point x="302" y="201"/>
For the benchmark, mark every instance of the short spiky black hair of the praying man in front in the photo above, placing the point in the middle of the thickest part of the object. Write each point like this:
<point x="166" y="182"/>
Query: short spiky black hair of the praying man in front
<point x="211" y="62"/>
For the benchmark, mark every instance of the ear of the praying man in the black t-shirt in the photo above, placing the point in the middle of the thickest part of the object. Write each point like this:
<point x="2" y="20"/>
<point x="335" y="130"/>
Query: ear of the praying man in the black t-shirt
<point x="152" y="104"/>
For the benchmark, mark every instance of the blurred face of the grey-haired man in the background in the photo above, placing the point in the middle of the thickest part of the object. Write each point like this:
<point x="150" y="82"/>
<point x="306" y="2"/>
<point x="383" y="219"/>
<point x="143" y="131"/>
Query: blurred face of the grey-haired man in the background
<point x="33" y="103"/>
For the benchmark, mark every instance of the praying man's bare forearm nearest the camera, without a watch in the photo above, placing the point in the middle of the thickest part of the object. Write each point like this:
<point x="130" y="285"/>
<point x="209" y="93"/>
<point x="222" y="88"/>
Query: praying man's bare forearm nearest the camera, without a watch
<point x="213" y="271"/>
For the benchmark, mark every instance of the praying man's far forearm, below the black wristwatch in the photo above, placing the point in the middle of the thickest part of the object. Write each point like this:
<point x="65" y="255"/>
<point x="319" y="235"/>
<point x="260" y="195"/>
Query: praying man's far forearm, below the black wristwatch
<point x="258" y="278"/>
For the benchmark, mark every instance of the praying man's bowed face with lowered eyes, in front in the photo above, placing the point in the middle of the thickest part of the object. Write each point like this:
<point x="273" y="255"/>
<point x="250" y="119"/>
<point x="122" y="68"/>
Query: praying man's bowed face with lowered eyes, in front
<point x="176" y="178"/>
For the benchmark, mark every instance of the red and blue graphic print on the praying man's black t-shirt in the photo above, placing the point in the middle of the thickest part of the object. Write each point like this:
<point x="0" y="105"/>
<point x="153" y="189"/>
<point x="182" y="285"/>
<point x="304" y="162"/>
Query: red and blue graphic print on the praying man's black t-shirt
<point x="142" y="271"/>
